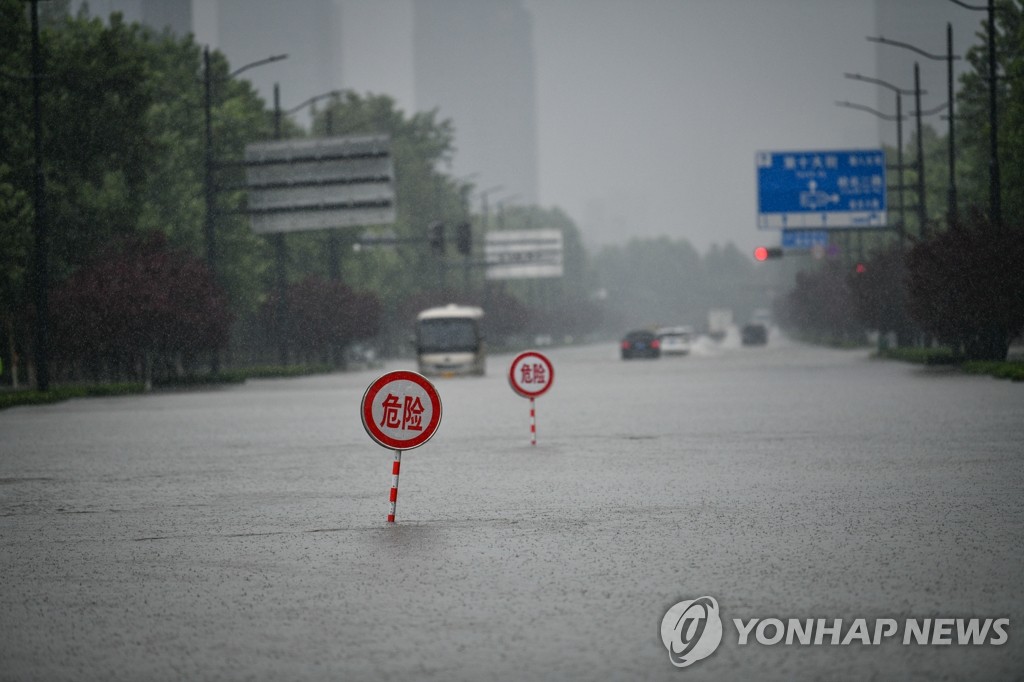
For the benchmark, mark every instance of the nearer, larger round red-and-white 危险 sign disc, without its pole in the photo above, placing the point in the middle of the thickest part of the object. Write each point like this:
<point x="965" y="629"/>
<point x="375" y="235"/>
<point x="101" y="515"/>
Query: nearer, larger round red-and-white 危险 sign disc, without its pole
<point x="402" y="410"/>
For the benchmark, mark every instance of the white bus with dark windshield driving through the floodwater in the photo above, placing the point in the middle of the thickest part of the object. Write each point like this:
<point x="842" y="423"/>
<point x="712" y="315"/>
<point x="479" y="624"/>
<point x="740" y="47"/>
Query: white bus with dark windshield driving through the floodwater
<point x="449" y="342"/>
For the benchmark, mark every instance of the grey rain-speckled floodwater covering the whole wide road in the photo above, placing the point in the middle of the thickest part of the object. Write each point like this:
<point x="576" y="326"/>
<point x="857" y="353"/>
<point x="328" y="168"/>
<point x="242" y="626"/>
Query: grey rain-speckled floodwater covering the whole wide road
<point x="239" y="534"/>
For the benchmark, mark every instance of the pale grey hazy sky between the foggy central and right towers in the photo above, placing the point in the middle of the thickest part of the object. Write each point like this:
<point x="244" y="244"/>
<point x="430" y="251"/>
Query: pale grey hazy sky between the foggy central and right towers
<point x="651" y="112"/>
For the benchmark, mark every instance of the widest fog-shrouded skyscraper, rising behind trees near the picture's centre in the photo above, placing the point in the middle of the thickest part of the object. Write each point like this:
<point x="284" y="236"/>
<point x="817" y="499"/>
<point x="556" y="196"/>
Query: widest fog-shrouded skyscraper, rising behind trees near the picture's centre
<point x="474" y="61"/>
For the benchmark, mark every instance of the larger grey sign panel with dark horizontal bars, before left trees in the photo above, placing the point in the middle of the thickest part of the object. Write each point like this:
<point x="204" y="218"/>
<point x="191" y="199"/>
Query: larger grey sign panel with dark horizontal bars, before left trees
<point x="300" y="185"/>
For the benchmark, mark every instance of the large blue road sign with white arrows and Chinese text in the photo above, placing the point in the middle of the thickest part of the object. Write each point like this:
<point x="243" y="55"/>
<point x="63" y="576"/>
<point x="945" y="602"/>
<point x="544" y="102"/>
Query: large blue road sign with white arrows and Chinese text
<point x="822" y="190"/>
